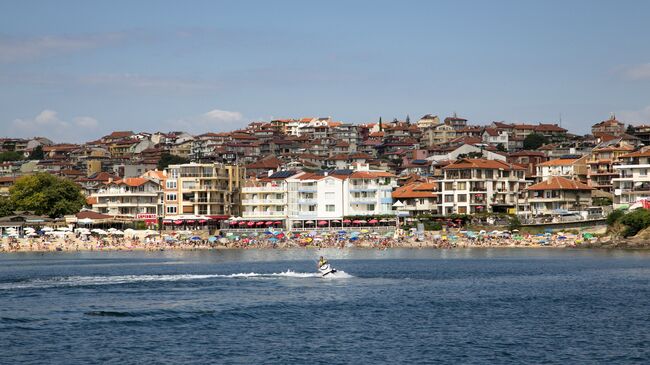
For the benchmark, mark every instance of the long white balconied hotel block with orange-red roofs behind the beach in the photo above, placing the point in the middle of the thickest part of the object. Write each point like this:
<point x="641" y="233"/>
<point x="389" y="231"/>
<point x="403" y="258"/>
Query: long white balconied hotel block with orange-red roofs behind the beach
<point x="319" y="198"/>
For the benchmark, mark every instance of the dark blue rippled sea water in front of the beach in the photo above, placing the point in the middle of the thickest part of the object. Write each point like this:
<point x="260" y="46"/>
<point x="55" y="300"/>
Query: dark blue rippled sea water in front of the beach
<point x="475" y="306"/>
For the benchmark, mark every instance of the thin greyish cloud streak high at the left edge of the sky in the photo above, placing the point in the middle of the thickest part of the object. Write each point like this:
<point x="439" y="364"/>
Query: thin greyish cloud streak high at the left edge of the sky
<point x="15" y="49"/>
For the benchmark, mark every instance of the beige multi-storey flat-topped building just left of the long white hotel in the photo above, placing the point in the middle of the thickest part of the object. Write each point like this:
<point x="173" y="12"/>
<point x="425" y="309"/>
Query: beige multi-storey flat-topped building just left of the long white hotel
<point x="209" y="189"/>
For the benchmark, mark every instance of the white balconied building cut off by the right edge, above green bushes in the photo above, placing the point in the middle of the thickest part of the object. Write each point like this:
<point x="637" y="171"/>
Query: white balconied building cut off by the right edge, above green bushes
<point x="633" y="182"/>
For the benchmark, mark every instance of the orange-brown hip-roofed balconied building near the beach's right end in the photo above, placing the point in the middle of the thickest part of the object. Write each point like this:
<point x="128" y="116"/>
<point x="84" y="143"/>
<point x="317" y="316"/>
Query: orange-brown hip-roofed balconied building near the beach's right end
<point x="557" y="195"/>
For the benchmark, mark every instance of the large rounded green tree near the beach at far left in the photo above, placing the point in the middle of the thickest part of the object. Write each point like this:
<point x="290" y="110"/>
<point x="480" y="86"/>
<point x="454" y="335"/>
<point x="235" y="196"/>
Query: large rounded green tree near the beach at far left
<point x="46" y="194"/>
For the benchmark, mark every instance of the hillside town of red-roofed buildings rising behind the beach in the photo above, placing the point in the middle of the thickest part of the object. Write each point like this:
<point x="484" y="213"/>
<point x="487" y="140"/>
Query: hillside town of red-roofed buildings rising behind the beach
<point x="318" y="173"/>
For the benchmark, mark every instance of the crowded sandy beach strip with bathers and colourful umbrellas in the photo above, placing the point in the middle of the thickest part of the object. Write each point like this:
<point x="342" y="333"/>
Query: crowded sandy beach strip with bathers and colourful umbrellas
<point x="456" y="238"/>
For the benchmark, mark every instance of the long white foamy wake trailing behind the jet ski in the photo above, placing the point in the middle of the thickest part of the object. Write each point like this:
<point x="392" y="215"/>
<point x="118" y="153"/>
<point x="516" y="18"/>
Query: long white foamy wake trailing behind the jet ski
<point x="69" y="281"/>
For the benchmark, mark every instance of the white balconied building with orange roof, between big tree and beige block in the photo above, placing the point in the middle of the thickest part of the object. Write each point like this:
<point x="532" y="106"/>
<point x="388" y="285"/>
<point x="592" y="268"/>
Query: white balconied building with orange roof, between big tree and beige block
<point x="129" y="197"/>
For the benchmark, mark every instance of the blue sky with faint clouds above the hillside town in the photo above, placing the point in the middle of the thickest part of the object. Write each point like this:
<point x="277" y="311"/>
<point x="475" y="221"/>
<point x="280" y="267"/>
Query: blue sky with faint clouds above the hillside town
<point x="76" y="70"/>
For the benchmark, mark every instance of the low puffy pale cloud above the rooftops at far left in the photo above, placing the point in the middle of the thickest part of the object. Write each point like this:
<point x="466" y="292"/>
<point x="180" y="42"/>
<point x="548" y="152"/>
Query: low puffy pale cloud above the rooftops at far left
<point x="48" y="124"/>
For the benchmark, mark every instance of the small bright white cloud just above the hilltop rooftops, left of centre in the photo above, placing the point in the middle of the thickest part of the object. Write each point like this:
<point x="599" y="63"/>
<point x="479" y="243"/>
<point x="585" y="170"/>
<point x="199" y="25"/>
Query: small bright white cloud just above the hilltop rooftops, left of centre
<point x="215" y="120"/>
